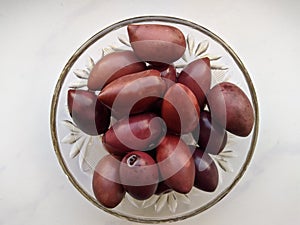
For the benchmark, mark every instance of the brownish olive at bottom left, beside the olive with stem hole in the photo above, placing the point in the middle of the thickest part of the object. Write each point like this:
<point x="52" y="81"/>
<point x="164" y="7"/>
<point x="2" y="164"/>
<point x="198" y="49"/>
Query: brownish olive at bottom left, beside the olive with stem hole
<point x="106" y="182"/>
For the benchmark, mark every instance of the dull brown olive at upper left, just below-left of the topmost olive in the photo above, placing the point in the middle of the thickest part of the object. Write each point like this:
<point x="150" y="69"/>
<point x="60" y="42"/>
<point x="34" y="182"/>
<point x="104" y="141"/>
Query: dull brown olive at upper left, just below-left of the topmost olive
<point x="113" y="66"/>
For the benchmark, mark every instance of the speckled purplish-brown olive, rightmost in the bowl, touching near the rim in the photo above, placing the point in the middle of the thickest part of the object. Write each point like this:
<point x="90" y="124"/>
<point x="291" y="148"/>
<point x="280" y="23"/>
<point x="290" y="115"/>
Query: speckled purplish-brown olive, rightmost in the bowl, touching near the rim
<point x="231" y="108"/>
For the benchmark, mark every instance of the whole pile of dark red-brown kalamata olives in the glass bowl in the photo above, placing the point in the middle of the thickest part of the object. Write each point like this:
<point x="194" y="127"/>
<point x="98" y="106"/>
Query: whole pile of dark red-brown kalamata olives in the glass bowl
<point x="152" y="106"/>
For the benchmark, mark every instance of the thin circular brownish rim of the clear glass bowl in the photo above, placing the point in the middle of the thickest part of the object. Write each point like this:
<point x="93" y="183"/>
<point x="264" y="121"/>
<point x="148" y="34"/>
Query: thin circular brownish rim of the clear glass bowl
<point x="116" y="26"/>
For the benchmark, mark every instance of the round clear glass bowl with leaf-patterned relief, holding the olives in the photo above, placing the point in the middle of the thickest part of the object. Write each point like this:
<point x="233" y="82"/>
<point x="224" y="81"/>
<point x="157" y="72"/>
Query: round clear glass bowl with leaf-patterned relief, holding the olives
<point x="76" y="152"/>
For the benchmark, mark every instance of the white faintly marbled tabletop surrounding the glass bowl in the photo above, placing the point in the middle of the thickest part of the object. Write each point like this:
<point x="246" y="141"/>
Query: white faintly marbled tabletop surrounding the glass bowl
<point x="38" y="37"/>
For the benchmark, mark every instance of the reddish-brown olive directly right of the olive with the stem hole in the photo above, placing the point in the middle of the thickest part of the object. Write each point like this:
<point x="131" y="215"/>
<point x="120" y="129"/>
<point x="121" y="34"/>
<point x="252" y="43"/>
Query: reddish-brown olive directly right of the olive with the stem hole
<point x="176" y="164"/>
